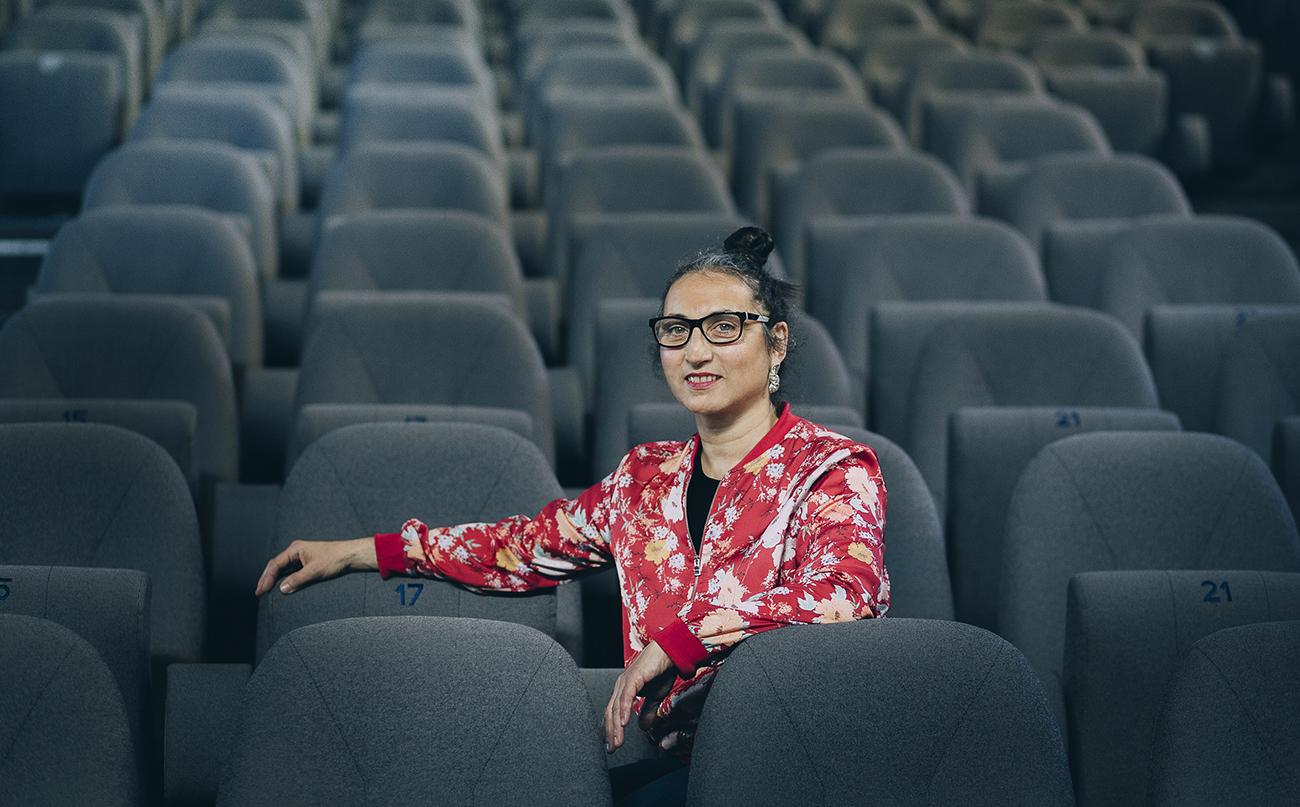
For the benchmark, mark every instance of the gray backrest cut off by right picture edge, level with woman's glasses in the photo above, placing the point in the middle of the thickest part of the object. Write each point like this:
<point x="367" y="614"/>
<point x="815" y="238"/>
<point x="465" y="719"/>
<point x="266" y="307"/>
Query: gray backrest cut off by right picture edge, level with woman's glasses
<point x="1260" y="380"/>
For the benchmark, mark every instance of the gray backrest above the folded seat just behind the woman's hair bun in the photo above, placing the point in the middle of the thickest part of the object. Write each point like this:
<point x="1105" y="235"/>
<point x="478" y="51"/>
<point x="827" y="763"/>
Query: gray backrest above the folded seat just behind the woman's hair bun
<point x="613" y="181"/>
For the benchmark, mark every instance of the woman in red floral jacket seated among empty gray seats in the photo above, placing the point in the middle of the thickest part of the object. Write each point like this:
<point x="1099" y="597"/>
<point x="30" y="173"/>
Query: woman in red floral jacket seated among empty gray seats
<point x="761" y="520"/>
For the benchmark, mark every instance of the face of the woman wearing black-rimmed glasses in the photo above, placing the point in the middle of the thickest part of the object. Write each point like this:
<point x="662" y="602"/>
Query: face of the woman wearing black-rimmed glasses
<point x="718" y="379"/>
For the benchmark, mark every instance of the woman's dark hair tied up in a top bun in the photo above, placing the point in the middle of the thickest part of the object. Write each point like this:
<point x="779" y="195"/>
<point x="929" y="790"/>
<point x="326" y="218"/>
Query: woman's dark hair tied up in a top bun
<point x="744" y="255"/>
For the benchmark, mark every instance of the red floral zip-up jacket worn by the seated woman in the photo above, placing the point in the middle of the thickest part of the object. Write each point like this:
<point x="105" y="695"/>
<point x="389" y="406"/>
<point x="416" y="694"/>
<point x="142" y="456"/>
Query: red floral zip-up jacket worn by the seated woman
<point x="795" y="536"/>
